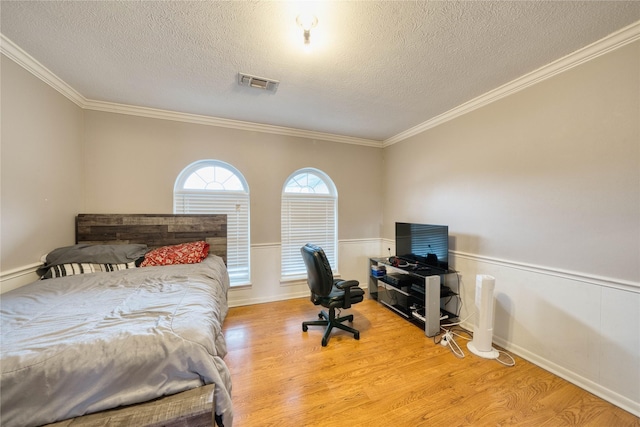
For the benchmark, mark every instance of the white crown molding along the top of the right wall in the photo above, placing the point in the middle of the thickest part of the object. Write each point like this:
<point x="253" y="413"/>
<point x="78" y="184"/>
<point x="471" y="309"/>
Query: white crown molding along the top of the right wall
<point x="612" y="42"/>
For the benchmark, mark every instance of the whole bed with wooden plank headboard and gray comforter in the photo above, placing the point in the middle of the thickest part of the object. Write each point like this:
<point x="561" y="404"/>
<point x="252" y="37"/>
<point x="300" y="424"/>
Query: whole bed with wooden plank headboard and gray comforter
<point x="123" y="335"/>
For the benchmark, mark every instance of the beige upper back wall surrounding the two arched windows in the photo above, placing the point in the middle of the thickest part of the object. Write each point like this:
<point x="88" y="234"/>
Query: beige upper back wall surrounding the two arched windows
<point x="132" y="164"/>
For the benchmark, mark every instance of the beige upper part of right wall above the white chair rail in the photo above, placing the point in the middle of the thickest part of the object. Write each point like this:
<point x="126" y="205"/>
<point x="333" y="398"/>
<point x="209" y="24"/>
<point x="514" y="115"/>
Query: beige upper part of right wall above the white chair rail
<point x="549" y="176"/>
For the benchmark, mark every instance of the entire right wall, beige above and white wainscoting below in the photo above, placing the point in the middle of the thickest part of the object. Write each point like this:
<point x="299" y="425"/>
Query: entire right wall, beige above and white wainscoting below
<point x="541" y="190"/>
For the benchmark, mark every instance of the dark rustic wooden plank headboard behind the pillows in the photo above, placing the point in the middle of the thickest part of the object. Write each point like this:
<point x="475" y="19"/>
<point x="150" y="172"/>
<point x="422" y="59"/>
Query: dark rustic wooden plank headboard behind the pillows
<point x="154" y="230"/>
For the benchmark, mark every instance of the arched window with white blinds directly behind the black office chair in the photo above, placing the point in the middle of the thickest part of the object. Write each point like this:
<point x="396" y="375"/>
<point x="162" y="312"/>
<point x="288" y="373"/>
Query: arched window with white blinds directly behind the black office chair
<point x="309" y="215"/>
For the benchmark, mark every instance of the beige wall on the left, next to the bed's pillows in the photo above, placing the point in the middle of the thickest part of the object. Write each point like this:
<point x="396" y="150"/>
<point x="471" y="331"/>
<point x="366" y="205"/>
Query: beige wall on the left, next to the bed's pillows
<point x="41" y="169"/>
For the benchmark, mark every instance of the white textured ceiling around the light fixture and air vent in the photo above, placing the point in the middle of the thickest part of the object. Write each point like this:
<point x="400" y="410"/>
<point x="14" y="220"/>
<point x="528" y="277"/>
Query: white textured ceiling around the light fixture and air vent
<point x="375" y="69"/>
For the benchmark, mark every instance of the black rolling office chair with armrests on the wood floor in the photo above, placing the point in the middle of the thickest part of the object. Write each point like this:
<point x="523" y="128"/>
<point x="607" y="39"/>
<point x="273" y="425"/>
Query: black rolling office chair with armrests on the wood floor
<point x="329" y="292"/>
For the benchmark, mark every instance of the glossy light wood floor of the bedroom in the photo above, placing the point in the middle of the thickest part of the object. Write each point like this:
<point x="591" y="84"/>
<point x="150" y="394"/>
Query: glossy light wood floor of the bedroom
<point x="393" y="376"/>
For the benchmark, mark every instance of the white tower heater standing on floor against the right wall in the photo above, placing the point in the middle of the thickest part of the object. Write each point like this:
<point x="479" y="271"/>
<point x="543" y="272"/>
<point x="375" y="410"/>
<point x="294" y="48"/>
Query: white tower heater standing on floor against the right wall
<point x="483" y="328"/>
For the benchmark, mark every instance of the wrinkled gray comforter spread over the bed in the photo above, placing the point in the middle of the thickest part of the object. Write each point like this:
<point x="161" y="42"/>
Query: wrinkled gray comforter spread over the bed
<point x="81" y="344"/>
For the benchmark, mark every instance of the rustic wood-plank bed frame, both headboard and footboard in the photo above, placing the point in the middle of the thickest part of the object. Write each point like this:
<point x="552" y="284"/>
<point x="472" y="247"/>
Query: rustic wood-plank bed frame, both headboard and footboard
<point x="191" y="408"/>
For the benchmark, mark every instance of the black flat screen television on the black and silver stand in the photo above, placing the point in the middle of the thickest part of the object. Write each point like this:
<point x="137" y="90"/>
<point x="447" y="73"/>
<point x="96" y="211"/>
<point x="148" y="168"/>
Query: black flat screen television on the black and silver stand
<point x="423" y="243"/>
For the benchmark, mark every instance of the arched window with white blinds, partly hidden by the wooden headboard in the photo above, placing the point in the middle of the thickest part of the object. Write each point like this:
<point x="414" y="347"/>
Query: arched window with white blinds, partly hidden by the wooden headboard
<point x="212" y="186"/>
